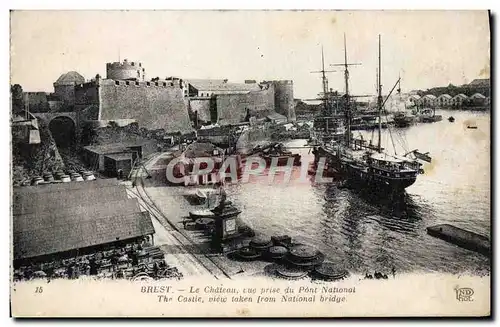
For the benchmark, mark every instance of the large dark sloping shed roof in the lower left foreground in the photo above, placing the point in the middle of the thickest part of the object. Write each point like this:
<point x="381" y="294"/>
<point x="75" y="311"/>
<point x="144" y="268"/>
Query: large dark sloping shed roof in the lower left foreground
<point x="66" y="218"/>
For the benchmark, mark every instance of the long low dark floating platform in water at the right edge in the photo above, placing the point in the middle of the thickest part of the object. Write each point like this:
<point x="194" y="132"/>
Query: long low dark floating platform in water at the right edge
<point x="461" y="237"/>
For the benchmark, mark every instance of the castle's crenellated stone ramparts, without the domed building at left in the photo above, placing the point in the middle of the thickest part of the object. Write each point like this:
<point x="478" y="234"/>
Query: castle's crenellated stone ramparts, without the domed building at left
<point x="160" y="104"/>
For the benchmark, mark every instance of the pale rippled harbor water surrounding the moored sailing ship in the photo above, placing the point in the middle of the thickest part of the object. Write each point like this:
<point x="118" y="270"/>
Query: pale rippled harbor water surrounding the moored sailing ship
<point x="370" y="232"/>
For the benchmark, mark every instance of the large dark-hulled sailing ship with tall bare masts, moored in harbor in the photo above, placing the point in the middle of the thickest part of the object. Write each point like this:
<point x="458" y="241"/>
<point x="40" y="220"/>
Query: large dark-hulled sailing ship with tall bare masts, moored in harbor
<point x="367" y="165"/>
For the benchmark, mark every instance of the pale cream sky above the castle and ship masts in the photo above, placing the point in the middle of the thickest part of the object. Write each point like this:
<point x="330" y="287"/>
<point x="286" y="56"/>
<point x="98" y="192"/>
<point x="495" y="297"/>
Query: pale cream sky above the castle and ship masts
<point x="425" y="48"/>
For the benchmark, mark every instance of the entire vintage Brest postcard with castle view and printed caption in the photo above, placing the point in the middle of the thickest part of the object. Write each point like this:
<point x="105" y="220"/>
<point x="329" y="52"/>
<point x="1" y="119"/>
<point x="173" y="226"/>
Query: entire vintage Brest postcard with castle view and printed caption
<point x="250" y="163"/>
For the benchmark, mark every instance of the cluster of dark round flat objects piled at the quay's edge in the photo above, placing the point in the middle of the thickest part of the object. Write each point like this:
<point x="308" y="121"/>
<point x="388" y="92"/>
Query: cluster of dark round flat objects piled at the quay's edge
<point x="293" y="260"/>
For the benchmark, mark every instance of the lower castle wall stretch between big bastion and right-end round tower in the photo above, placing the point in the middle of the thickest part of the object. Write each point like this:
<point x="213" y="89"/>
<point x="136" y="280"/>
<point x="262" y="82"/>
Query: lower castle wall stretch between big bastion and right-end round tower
<point x="232" y="108"/>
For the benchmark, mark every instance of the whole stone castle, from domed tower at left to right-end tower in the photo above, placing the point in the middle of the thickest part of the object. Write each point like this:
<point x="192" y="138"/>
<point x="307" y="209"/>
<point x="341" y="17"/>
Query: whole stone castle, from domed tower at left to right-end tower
<point x="169" y="104"/>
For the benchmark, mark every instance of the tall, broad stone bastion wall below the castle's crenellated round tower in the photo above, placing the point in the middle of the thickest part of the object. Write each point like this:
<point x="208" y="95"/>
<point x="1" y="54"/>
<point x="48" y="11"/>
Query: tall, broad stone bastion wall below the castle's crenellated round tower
<point x="153" y="105"/>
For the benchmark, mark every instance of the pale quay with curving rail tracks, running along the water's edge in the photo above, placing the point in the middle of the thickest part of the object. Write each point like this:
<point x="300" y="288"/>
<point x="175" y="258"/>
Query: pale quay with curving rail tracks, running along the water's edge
<point x="241" y="256"/>
